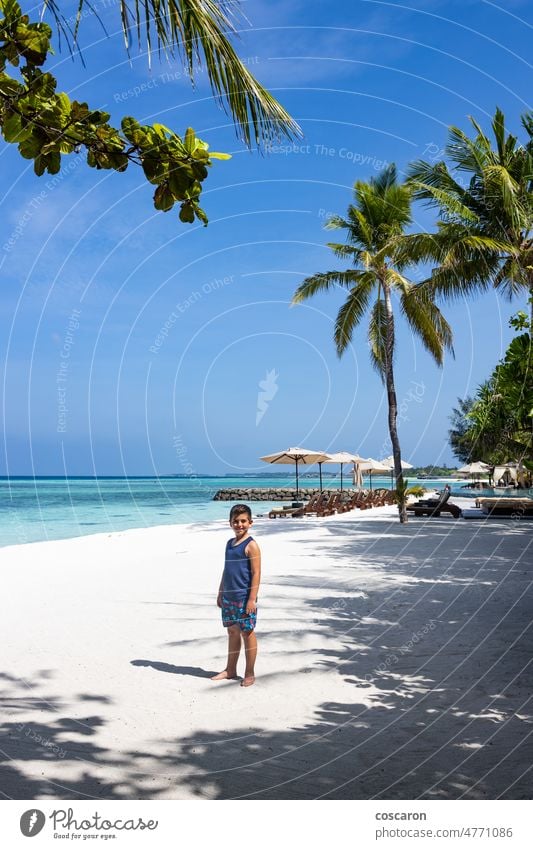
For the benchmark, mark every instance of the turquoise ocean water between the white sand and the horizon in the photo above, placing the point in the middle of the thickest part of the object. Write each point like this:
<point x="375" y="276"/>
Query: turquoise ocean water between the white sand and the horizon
<point x="35" y="509"/>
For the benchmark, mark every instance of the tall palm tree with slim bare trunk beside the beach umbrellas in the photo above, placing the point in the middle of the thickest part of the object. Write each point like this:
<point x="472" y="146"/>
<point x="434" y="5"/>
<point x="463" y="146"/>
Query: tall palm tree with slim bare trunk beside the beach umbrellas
<point x="375" y="238"/>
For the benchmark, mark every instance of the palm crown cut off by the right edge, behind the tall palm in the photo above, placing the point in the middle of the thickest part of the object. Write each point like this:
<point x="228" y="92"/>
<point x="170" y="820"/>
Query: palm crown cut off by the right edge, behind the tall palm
<point x="485" y="235"/>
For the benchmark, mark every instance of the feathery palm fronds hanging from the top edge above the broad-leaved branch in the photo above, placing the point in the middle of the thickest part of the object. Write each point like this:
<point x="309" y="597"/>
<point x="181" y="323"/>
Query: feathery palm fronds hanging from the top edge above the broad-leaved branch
<point x="197" y="31"/>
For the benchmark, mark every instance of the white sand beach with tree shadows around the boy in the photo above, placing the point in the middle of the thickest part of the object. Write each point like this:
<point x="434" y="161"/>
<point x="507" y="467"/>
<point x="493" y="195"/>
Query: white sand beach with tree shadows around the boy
<point x="394" y="662"/>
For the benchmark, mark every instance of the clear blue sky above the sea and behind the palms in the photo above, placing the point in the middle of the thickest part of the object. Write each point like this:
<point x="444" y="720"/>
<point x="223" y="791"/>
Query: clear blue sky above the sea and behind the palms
<point x="134" y="344"/>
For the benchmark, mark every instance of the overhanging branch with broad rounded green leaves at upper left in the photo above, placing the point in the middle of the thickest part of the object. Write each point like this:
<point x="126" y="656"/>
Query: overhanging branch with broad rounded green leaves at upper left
<point x="46" y="125"/>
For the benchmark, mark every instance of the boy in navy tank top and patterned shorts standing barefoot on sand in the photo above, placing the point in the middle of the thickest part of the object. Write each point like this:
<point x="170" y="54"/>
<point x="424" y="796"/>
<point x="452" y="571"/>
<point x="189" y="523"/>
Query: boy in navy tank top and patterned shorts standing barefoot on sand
<point x="237" y="595"/>
